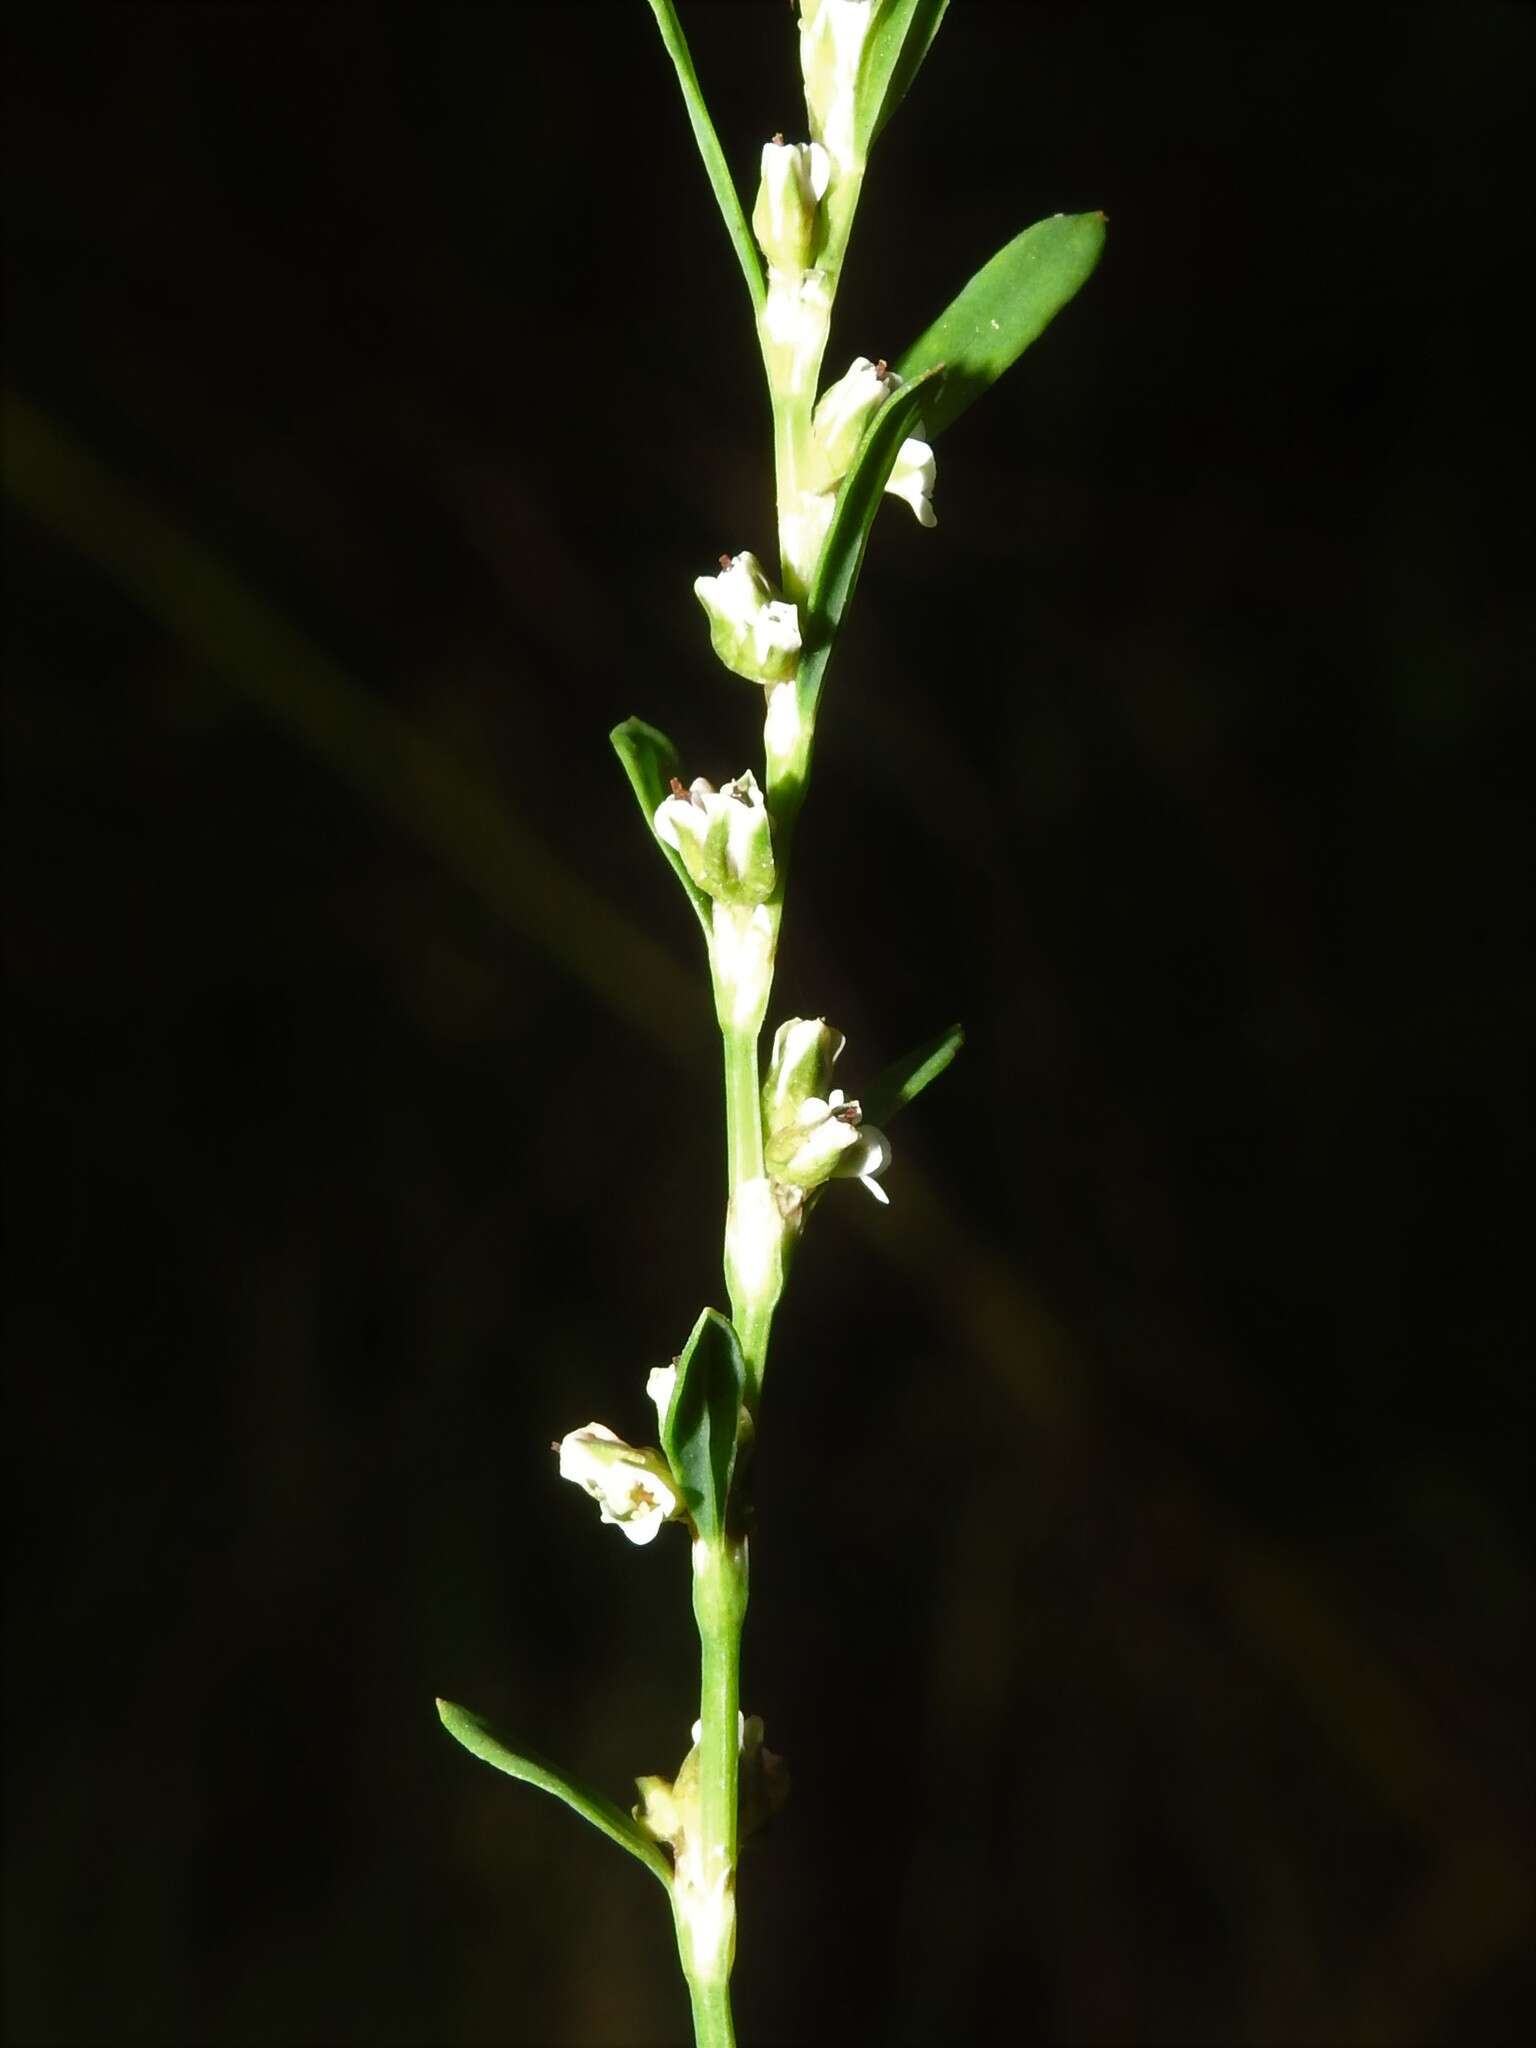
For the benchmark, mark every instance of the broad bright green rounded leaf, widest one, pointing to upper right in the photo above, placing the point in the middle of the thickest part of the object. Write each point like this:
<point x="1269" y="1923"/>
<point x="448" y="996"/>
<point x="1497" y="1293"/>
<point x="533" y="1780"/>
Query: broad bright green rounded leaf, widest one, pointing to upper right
<point x="1007" y="306"/>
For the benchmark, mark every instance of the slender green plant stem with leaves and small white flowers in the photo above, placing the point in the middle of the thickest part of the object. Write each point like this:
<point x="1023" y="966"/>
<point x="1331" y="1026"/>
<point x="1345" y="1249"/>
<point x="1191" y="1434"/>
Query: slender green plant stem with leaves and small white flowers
<point x="792" y="1136"/>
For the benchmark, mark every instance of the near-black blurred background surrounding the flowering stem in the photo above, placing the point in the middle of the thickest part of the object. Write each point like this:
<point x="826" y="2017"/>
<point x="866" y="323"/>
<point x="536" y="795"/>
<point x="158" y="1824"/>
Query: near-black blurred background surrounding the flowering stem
<point x="1140" y="1586"/>
